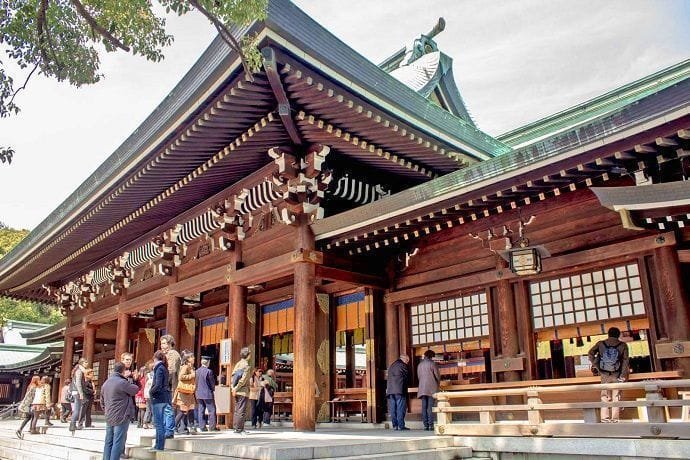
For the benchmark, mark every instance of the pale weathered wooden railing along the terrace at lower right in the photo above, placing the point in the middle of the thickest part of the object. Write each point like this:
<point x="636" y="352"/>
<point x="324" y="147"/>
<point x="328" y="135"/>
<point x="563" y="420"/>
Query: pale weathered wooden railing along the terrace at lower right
<point x="524" y="411"/>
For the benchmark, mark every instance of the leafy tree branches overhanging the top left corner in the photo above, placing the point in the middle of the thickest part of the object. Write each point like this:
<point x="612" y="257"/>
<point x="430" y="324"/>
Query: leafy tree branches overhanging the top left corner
<point x="62" y="39"/>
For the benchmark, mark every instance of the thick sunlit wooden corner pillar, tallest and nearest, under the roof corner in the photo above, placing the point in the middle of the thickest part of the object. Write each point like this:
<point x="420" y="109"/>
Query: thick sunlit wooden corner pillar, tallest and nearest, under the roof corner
<point x="304" y="364"/>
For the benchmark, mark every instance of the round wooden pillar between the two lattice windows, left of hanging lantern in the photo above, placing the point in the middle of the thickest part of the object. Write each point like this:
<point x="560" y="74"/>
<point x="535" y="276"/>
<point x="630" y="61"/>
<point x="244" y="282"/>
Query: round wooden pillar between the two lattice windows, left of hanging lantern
<point x="507" y="321"/>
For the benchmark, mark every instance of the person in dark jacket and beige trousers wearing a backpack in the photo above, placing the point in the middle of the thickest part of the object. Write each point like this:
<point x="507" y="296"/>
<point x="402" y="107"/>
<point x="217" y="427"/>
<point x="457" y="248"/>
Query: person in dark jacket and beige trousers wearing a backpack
<point x="610" y="360"/>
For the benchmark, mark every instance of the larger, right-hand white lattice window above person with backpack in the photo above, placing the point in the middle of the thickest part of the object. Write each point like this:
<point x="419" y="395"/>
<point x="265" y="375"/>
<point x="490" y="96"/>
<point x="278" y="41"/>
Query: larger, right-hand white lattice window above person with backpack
<point x="586" y="297"/>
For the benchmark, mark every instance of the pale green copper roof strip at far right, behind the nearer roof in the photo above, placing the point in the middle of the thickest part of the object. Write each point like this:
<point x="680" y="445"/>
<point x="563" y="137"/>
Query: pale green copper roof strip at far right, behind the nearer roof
<point x="600" y="105"/>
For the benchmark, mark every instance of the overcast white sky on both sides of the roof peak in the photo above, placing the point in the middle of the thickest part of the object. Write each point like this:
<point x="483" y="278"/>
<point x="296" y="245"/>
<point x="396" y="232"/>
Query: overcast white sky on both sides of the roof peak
<point x="514" y="61"/>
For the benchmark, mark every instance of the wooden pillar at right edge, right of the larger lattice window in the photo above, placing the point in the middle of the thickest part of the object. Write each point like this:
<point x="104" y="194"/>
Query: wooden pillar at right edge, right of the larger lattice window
<point x="673" y="304"/>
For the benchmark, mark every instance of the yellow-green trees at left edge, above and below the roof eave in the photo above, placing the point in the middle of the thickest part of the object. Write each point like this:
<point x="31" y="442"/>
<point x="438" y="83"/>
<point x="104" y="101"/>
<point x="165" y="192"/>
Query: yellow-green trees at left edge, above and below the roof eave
<point x="18" y="309"/>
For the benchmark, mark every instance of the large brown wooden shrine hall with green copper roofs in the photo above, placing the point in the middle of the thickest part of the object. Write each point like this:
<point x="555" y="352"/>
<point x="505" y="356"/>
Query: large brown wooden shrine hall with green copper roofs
<point x="331" y="213"/>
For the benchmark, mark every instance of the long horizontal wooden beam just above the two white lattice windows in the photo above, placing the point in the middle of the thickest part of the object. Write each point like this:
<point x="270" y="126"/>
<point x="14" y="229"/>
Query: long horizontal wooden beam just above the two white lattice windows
<point x="554" y="264"/>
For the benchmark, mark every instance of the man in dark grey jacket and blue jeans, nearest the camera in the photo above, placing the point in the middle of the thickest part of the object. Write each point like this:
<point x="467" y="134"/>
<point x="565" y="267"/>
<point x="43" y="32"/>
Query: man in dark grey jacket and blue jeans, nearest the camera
<point x="116" y="399"/>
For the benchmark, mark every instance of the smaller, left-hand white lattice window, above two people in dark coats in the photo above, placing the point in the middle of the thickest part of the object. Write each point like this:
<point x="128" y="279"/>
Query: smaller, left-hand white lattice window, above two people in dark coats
<point x="450" y="320"/>
